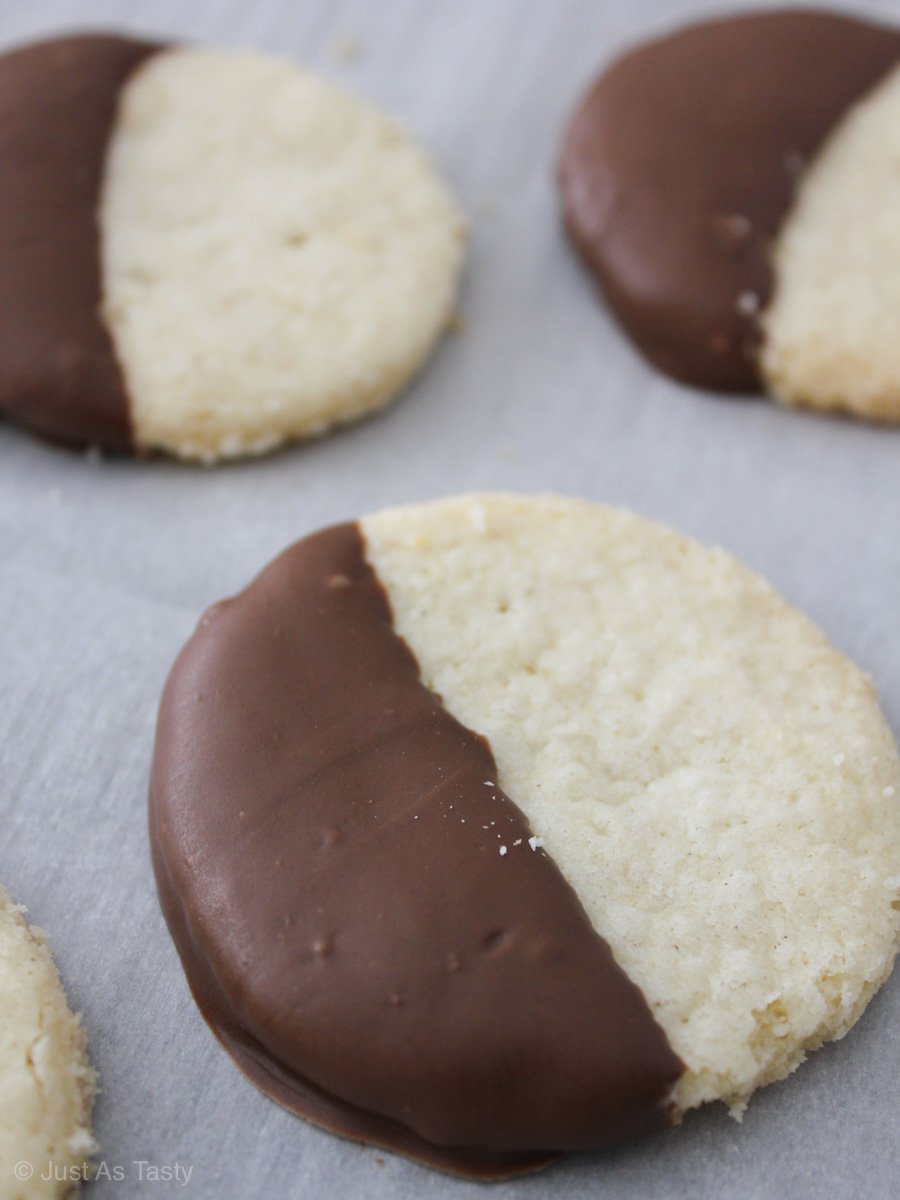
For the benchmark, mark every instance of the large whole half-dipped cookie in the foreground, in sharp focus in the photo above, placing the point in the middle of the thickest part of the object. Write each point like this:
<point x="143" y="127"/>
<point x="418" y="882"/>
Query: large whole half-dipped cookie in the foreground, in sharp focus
<point x="521" y="799"/>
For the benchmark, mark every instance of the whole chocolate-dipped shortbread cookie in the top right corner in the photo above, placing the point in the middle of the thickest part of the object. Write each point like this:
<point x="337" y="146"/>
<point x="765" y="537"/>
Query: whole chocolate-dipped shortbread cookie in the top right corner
<point x="733" y="189"/>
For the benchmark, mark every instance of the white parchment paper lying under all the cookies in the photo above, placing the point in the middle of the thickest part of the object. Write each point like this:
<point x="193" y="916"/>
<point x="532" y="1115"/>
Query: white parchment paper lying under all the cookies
<point x="106" y="566"/>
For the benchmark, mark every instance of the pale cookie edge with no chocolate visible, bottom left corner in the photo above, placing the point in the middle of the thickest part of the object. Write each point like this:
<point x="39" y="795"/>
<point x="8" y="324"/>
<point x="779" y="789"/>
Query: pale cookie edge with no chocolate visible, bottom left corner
<point x="46" y="1083"/>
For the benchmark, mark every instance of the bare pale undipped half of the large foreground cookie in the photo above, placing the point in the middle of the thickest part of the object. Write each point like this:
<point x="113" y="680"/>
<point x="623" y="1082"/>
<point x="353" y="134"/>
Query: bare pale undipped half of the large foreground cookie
<point x="712" y="777"/>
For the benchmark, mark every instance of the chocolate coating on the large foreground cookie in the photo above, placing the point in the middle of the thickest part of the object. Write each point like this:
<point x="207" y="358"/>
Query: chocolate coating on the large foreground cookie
<point x="327" y="851"/>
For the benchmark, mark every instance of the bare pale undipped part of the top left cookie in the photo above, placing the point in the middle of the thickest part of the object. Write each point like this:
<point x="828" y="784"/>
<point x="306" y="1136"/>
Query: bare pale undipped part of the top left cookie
<point x="279" y="257"/>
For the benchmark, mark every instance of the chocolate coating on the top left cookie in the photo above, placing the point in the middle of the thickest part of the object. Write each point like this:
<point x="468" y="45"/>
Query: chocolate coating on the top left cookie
<point x="59" y="375"/>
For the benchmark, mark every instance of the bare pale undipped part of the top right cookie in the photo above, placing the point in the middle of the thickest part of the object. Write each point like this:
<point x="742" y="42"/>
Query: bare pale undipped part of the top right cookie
<point x="833" y="331"/>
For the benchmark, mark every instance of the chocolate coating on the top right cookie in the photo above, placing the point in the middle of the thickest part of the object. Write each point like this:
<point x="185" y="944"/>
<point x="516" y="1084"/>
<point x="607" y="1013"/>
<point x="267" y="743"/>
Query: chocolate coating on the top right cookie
<point x="682" y="163"/>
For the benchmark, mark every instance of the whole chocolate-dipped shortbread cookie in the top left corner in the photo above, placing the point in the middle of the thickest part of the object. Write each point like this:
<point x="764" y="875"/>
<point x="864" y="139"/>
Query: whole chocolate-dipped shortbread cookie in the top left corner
<point x="208" y="253"/>
